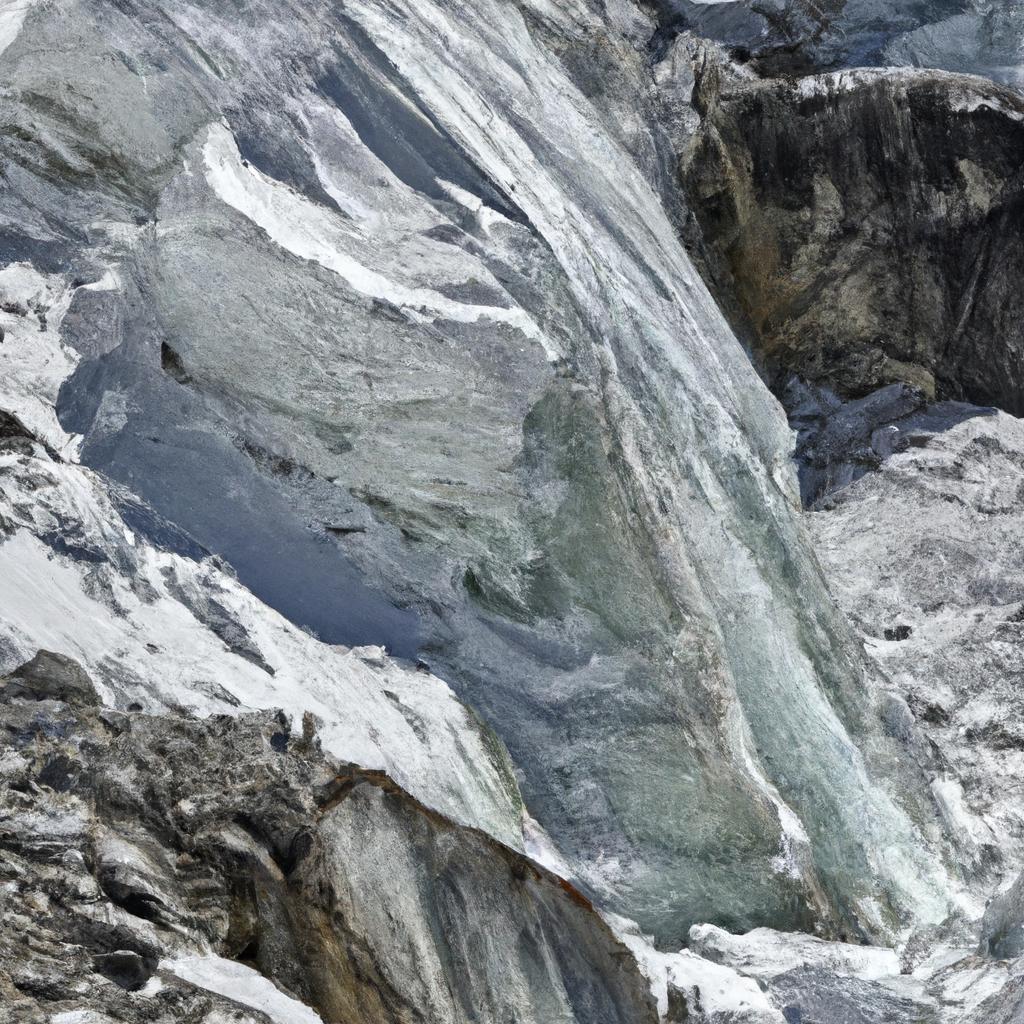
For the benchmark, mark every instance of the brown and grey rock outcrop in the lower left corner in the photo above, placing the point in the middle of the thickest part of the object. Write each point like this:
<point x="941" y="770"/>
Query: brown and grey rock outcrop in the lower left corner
<point x="165" y="837"/>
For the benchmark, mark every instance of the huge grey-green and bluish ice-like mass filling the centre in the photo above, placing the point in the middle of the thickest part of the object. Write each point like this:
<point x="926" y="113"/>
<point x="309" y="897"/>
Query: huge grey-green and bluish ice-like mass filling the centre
<point x="379" y="288"/>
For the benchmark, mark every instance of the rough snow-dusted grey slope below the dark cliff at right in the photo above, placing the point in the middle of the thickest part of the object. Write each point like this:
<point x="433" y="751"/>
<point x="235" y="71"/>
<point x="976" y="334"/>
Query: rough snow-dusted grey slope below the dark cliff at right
<point x="925" y="557"/>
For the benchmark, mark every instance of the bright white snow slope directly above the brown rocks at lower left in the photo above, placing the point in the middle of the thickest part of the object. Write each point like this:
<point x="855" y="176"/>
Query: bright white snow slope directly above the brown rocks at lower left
<point x="160" y="629"/>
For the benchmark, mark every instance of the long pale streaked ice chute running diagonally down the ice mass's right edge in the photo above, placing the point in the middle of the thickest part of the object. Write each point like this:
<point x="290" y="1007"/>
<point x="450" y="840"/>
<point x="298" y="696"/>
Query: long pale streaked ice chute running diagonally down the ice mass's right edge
<point x="729" y="539"/>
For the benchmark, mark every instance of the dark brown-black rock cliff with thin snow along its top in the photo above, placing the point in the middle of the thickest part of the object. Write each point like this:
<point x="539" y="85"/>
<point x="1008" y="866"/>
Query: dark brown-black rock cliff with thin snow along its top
<point x="870" y="227"/>
